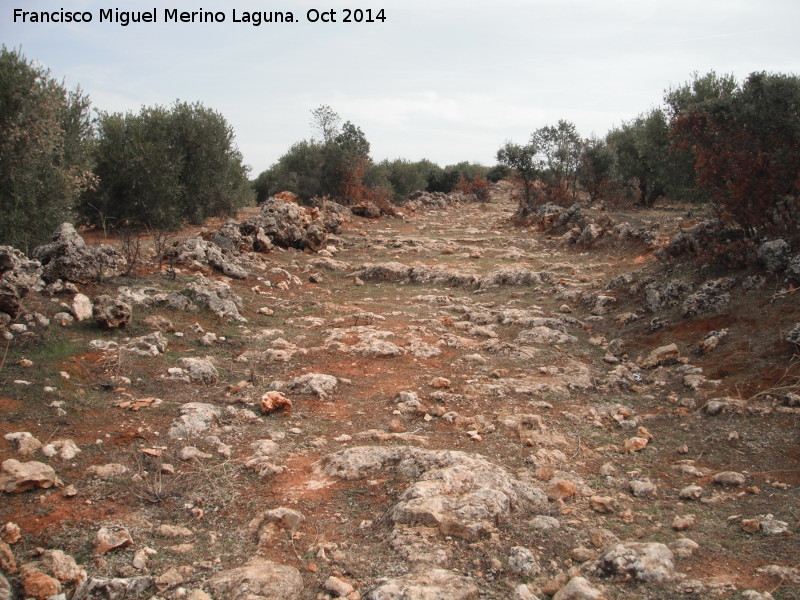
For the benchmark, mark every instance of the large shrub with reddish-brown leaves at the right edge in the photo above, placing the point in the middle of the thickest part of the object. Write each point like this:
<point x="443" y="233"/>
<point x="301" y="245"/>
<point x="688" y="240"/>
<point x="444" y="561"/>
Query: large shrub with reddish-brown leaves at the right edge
<point x="745" y="141"/>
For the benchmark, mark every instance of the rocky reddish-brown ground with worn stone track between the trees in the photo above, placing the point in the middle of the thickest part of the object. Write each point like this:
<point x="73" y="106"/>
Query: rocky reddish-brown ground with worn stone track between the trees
<point x="303" y="404"/>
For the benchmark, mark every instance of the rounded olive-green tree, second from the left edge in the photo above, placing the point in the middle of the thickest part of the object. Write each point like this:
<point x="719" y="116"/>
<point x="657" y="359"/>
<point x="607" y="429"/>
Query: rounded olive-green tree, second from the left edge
<point x="160" y="167"/>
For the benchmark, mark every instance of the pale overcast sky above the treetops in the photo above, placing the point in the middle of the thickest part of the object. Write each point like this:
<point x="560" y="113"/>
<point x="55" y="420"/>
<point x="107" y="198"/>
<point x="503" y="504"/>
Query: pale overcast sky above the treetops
<point x="447" y="80"/>
